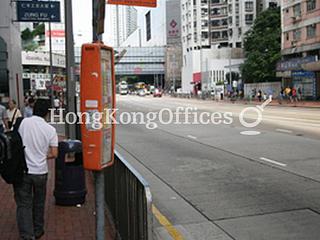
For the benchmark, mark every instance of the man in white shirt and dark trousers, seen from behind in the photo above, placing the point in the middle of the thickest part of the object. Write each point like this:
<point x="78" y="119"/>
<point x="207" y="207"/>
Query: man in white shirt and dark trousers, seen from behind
<point x="41" y="144"/>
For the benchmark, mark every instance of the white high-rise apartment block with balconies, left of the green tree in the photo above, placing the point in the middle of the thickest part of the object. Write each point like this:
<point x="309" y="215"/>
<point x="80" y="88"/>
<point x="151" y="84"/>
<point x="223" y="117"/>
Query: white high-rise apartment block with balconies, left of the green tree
<point x="213" y="32"/>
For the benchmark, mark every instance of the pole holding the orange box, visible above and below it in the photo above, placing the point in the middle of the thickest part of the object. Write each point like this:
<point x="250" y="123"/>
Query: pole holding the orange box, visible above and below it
<point x="99" y="175"/>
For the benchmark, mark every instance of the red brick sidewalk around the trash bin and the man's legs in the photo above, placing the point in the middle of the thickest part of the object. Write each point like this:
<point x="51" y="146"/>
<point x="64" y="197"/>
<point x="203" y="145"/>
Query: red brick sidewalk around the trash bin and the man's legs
<point x="62" y="223"/>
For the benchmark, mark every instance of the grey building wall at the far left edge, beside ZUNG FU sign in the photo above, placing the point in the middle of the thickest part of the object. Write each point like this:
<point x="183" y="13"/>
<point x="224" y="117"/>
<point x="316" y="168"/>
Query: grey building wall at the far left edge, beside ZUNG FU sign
<point x="10" y="53"/>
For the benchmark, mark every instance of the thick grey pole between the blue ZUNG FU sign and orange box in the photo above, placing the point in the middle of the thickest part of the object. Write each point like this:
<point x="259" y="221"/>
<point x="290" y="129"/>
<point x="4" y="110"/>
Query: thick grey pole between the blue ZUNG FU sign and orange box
<point x="70" y="129"/>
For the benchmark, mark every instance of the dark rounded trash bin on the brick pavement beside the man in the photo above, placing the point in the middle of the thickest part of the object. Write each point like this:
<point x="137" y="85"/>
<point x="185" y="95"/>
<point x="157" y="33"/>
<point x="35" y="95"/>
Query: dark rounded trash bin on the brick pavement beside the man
<point x="70" y="187"/>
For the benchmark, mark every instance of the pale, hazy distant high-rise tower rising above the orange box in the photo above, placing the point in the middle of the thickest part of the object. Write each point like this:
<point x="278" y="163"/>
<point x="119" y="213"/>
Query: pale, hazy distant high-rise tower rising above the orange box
<point x="121" y="22"/>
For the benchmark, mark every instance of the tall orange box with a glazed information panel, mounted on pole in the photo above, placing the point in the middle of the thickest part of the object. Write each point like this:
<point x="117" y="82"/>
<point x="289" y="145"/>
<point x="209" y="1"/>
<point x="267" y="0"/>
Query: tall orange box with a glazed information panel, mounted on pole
<point x="97" y="95"/>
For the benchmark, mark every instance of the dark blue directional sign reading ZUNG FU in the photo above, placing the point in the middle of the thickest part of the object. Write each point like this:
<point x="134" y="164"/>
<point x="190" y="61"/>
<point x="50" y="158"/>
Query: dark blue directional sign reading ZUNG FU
<point x="38" y="11"/>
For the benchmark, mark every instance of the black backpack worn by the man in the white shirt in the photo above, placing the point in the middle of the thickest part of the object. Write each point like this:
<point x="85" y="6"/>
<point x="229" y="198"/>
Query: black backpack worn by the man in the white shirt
<point x="12" y="159"/>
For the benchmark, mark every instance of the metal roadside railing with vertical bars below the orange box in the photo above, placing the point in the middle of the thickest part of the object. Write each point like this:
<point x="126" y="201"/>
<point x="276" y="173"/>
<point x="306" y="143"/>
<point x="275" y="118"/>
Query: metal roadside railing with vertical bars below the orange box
<point x="129" y="201"/>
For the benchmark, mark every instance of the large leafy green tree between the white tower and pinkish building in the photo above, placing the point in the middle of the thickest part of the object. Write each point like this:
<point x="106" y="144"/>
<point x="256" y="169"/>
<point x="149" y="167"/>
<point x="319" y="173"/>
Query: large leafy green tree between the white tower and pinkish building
<point x="262" y="45"/>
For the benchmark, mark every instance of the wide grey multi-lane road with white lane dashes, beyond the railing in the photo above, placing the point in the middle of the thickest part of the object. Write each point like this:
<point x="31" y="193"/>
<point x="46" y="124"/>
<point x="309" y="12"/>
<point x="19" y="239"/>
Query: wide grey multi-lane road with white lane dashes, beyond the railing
<point x="226" y="181"/>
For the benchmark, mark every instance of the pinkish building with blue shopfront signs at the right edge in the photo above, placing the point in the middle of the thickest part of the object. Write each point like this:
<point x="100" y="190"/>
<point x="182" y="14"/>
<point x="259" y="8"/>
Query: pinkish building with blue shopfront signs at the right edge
<point x="300" y="66"/>
